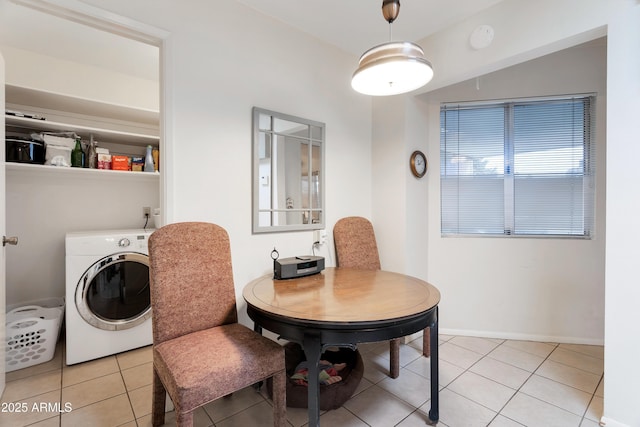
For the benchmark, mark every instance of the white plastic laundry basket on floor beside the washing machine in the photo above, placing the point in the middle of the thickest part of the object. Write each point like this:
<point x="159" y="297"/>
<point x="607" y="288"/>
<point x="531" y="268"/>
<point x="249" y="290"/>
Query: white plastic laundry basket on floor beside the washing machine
<point x="31" y="334"/>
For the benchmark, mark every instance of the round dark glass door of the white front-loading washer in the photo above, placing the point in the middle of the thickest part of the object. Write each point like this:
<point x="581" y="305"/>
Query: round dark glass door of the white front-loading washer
<point x="113" y="294"/>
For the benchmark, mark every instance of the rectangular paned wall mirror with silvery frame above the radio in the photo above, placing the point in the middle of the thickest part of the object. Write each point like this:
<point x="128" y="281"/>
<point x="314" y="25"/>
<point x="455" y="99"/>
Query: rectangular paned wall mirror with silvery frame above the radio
<point x="288" y="172"/>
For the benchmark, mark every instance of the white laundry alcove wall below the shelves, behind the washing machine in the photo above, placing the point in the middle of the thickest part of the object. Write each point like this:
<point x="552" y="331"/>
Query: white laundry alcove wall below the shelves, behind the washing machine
<point x="43" y="207"/>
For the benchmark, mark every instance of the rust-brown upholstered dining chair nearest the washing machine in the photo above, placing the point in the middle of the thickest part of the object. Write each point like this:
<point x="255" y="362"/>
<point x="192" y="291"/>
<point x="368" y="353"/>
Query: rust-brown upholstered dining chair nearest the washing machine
<point x="200" y="351"/>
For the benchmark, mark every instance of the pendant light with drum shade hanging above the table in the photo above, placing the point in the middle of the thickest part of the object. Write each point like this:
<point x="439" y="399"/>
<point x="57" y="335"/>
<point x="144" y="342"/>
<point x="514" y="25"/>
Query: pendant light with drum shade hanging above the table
<point x="391" y="68"/>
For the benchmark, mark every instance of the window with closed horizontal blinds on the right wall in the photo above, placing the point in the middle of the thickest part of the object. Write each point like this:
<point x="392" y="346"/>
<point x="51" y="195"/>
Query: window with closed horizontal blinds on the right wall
<point x="518" y="168"/>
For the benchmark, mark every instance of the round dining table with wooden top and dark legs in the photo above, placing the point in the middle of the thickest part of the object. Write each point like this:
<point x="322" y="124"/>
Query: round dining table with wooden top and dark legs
<point x="344" y="307"/>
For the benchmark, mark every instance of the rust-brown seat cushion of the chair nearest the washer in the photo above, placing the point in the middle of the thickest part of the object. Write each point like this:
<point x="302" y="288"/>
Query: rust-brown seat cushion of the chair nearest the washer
<point x="208" y="364"/>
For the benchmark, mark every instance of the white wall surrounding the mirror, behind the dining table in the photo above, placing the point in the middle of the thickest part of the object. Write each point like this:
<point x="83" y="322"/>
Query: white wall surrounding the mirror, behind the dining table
<point x="224" y="59"/>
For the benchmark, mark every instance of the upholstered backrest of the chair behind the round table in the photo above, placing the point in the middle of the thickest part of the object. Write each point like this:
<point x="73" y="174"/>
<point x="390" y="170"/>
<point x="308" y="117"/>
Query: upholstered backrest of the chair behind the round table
<point x="355" y="243"/>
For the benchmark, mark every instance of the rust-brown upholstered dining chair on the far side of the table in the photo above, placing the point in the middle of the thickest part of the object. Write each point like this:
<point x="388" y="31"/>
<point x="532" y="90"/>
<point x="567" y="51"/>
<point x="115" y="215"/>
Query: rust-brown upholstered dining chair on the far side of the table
<point x="356" y="247"/>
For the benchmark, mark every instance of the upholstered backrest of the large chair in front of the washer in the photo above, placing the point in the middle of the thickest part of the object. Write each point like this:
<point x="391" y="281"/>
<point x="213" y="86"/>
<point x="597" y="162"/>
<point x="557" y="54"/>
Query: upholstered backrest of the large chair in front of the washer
<point x="191" y="279"/>
